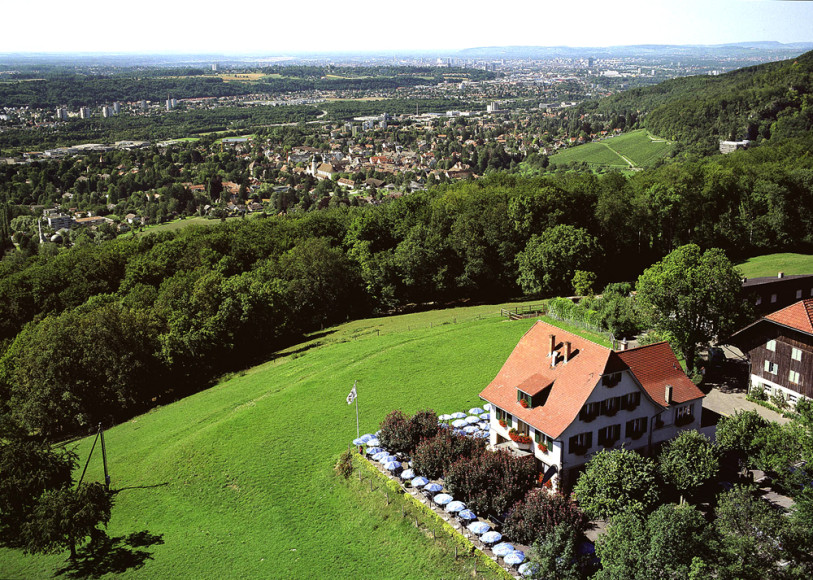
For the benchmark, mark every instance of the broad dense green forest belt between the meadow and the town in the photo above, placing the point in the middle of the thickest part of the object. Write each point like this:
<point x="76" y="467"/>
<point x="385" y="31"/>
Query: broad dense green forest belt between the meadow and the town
<point x="105" y="329"/>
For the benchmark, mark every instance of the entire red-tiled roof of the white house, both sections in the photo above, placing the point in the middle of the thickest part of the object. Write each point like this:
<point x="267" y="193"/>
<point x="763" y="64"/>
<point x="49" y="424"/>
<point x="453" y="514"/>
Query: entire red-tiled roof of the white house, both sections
<point x="572" y="373"/>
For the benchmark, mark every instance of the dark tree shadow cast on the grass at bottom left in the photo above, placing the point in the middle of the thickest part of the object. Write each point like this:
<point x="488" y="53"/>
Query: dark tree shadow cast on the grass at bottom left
<point x="106" y="555"/>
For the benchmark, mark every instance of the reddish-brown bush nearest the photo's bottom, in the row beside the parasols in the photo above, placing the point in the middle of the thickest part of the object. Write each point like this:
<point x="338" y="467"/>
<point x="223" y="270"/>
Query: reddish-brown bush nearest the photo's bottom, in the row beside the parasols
<point x="539" y="513"/>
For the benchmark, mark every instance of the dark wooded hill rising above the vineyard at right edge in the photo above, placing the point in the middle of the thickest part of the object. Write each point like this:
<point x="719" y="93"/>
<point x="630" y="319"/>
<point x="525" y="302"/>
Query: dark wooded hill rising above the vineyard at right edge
<point x="768" y="101"/>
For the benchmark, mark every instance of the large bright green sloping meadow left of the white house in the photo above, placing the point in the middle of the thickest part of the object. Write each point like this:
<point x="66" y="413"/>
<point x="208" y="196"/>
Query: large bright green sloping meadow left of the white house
<point x="238" y="480"/>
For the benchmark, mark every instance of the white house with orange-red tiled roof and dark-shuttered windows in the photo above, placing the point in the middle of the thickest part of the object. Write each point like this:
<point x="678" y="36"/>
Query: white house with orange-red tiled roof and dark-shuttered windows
<point x="571" y="398"/>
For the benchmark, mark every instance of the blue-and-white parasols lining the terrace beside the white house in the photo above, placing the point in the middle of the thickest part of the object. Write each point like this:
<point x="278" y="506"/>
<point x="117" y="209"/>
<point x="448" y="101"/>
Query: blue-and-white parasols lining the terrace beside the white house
<point x="459" y="421"/>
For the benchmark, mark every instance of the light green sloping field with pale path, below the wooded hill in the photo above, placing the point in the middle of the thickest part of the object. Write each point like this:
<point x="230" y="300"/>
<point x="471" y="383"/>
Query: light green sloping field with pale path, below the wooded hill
<point x="629" y="150"/>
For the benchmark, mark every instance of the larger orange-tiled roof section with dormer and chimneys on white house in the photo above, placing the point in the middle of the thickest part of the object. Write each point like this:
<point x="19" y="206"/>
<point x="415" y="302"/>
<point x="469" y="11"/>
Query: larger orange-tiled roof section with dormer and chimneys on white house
<point x="529" y="368"/>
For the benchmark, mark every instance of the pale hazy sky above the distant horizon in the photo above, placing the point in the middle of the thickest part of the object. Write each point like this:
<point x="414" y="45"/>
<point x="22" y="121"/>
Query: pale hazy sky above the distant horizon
<point x="271" y="27"/>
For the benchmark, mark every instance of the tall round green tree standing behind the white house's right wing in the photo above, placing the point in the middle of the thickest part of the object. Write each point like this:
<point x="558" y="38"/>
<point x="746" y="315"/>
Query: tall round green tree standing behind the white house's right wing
<point x="692" y="295"/>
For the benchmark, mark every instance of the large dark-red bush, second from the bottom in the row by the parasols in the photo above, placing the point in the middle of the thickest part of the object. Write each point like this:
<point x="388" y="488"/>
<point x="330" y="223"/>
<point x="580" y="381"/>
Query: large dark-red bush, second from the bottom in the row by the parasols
<point x="491" y="482"/>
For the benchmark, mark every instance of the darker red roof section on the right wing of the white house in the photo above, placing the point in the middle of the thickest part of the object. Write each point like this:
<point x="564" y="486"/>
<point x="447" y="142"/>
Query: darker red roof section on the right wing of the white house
<point x="656" y="366"/>
